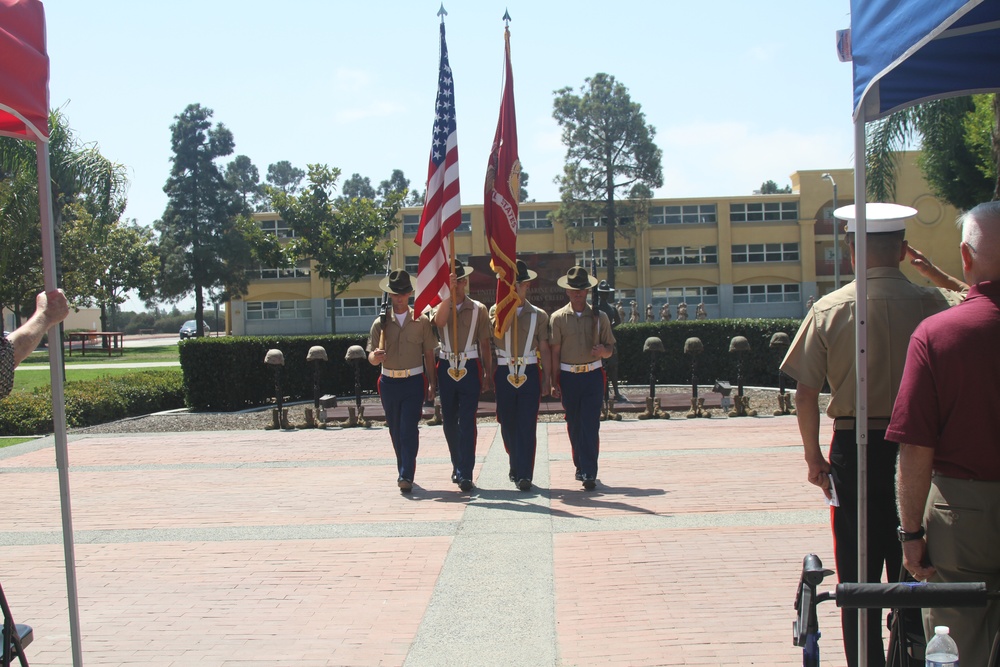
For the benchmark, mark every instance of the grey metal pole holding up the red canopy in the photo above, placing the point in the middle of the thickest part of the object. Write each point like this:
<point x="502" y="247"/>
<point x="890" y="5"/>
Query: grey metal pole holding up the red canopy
<point x="58" y="397"/>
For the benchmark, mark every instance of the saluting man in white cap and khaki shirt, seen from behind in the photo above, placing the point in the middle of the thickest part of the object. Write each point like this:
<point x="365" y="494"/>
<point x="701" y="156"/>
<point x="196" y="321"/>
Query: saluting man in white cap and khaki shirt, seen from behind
<point x="824" y="351"/>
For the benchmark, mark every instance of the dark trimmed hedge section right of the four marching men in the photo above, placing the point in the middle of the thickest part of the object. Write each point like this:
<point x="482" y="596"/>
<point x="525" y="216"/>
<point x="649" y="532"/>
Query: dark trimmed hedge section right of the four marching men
<point x="760" y="364"/>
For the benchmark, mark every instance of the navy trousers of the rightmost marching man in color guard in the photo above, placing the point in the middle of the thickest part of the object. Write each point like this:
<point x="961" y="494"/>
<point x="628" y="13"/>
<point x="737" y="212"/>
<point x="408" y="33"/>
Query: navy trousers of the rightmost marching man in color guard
<point x="582" y="395"/>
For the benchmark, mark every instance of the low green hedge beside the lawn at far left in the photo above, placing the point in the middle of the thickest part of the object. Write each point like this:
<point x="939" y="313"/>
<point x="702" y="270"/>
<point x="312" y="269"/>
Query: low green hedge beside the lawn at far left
<point x="92" y="402"/>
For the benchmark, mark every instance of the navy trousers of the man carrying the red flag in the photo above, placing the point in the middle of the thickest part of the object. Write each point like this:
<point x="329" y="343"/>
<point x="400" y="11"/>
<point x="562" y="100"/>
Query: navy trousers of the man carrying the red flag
<point x="517" y="412"/>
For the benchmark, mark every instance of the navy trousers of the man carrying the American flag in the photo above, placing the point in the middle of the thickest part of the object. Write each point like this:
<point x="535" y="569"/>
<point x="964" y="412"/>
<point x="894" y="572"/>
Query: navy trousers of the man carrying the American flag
<point x="459" y="402"/>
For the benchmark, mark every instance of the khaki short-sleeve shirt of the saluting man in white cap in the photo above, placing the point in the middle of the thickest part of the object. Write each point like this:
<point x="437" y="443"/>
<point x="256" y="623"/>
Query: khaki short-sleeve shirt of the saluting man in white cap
<point x="823" y="349"/>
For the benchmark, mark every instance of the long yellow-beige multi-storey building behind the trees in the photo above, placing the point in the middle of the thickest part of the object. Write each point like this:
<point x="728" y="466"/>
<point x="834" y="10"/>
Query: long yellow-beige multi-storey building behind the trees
<point x="741" y="256"/>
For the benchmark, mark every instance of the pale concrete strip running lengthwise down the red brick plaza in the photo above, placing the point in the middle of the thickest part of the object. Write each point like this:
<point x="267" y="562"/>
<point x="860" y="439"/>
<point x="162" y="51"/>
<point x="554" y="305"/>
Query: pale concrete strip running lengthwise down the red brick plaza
<point x="494" y="603"/>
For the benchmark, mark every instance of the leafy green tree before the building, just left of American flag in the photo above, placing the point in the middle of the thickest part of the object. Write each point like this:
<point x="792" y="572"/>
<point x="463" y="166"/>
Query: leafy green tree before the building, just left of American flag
<point x="345" y="238"/>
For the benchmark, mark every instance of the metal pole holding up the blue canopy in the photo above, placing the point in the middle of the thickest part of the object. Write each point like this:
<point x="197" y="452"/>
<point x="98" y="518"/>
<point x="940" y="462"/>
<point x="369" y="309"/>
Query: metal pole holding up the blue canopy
<point x="861" y="365"/>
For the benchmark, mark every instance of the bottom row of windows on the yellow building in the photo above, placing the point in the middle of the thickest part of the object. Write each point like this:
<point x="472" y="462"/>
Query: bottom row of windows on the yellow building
<point x="368" y="306"/>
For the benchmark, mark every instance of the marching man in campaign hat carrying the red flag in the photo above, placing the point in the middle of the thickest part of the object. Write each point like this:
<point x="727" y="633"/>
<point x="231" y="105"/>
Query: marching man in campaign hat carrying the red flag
<point x="523" y="376"/>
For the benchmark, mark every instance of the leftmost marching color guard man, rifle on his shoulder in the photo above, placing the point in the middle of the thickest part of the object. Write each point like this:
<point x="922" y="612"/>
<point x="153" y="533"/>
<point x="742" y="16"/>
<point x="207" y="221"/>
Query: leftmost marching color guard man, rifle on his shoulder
<point x="403" y="343"/>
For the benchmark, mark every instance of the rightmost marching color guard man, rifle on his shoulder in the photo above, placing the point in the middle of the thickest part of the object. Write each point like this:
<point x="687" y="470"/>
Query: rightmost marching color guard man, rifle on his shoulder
<point x="580" y="339"/>
